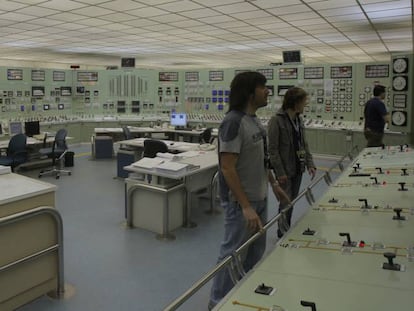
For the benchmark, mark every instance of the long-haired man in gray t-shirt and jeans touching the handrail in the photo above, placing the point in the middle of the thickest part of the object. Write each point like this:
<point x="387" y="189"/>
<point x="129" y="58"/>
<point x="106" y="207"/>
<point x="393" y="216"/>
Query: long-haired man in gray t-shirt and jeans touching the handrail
<point x="243" y="176"/>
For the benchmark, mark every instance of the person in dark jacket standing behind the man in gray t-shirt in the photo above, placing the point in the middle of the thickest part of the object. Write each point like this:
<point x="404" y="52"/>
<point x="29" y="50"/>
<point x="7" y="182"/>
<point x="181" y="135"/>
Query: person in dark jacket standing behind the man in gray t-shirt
<point x="288" y="150"/>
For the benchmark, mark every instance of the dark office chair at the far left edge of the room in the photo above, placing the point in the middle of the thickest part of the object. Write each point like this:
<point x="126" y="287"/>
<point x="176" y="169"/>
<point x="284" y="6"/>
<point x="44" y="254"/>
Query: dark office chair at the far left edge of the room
<point x="16" y="152"/>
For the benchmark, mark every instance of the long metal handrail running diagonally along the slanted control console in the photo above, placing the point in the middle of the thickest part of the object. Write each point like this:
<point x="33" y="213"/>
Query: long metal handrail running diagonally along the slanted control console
<point x="234" y="257"/>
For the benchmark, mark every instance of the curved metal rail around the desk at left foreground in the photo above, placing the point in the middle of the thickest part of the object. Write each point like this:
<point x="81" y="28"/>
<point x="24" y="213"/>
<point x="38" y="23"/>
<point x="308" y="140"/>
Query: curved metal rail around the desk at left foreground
<point x="7" y="220"/>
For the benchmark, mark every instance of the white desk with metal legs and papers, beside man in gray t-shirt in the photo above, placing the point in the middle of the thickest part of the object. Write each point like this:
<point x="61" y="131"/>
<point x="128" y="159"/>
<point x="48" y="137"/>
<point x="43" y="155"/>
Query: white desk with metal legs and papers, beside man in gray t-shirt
<point x="198" y="177"/>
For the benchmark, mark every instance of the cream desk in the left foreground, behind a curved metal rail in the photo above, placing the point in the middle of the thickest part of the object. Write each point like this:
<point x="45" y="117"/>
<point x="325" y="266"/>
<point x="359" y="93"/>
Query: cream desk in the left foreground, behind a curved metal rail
<point x="28" y="280"/>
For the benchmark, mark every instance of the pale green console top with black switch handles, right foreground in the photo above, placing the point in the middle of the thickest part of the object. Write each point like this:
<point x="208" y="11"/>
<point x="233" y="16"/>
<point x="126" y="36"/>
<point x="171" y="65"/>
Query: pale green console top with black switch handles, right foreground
<point x="317" y="268"/>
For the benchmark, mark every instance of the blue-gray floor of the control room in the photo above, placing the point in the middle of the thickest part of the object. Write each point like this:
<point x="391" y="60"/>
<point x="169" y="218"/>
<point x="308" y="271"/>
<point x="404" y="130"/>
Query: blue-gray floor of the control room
<point x="113" y="268"/>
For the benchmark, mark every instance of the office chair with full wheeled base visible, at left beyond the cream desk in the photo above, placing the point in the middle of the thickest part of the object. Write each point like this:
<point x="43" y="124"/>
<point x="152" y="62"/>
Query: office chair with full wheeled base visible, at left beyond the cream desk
<point x="56" y="153"/>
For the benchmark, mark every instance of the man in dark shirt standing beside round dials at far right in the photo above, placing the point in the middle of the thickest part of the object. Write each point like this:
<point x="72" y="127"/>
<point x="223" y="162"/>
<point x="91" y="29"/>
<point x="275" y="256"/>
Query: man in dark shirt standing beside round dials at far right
<point x="376" y="116"/>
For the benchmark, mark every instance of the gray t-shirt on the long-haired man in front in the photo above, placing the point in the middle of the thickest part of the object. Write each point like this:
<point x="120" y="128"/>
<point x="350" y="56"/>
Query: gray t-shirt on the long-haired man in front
<point x="244" y="134"/>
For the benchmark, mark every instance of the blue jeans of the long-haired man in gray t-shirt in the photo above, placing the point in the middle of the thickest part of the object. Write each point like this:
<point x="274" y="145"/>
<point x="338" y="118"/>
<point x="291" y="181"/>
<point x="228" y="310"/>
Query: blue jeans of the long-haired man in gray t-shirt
<point x="235" y="234"/>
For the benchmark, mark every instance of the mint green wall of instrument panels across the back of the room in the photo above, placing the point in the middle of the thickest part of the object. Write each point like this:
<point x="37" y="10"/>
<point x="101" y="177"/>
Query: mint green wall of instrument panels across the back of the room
<point x="115" y="91"/>
